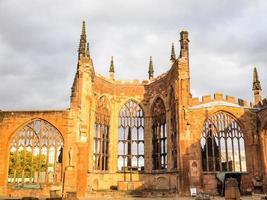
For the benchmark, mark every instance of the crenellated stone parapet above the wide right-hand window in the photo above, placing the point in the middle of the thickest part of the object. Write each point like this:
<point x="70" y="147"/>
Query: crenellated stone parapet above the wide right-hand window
<point x="216" y="97"/>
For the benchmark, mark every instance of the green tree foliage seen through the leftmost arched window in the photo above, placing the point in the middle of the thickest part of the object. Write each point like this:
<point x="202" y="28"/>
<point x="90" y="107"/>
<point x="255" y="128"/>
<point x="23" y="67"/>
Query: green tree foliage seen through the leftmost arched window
<point x="30" y="163"/>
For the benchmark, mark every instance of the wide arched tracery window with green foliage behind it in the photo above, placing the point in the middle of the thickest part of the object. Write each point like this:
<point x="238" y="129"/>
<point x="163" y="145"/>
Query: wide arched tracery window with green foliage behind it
<point x="36" y="154"/>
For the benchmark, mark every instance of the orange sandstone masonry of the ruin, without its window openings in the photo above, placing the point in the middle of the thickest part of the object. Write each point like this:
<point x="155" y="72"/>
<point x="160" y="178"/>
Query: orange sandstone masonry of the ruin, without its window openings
<point x="76" y="125"/>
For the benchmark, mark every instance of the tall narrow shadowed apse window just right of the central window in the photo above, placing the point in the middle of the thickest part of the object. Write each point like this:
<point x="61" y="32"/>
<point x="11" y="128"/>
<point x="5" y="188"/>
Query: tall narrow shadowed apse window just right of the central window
<point x="159" y="135"/>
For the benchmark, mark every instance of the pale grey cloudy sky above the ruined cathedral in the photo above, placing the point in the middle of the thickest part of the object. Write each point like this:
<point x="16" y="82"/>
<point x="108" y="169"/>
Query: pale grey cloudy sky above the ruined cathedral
<point x="39" y="41"/>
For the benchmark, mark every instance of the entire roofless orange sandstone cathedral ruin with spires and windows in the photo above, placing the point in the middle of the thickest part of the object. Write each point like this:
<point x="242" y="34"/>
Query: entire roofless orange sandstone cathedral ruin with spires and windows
<point x="149" y="135"/>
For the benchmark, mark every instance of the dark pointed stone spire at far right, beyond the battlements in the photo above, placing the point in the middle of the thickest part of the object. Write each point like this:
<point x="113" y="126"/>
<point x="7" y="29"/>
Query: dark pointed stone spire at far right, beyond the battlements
<point x="256" y="88"/>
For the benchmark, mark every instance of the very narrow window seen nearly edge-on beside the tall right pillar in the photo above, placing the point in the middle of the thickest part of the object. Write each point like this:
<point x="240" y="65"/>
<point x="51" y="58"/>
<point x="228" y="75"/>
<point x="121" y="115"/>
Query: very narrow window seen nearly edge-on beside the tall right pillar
<point x="173" y="129"/>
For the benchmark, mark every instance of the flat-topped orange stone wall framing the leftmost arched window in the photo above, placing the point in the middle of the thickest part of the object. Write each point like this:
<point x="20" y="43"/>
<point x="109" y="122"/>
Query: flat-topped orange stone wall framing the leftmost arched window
<point x="11" y="122"/>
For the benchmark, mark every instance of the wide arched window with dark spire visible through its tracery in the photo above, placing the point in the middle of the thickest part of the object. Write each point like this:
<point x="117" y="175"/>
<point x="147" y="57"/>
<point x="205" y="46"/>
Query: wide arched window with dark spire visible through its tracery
<point x="222" y="144"/>
